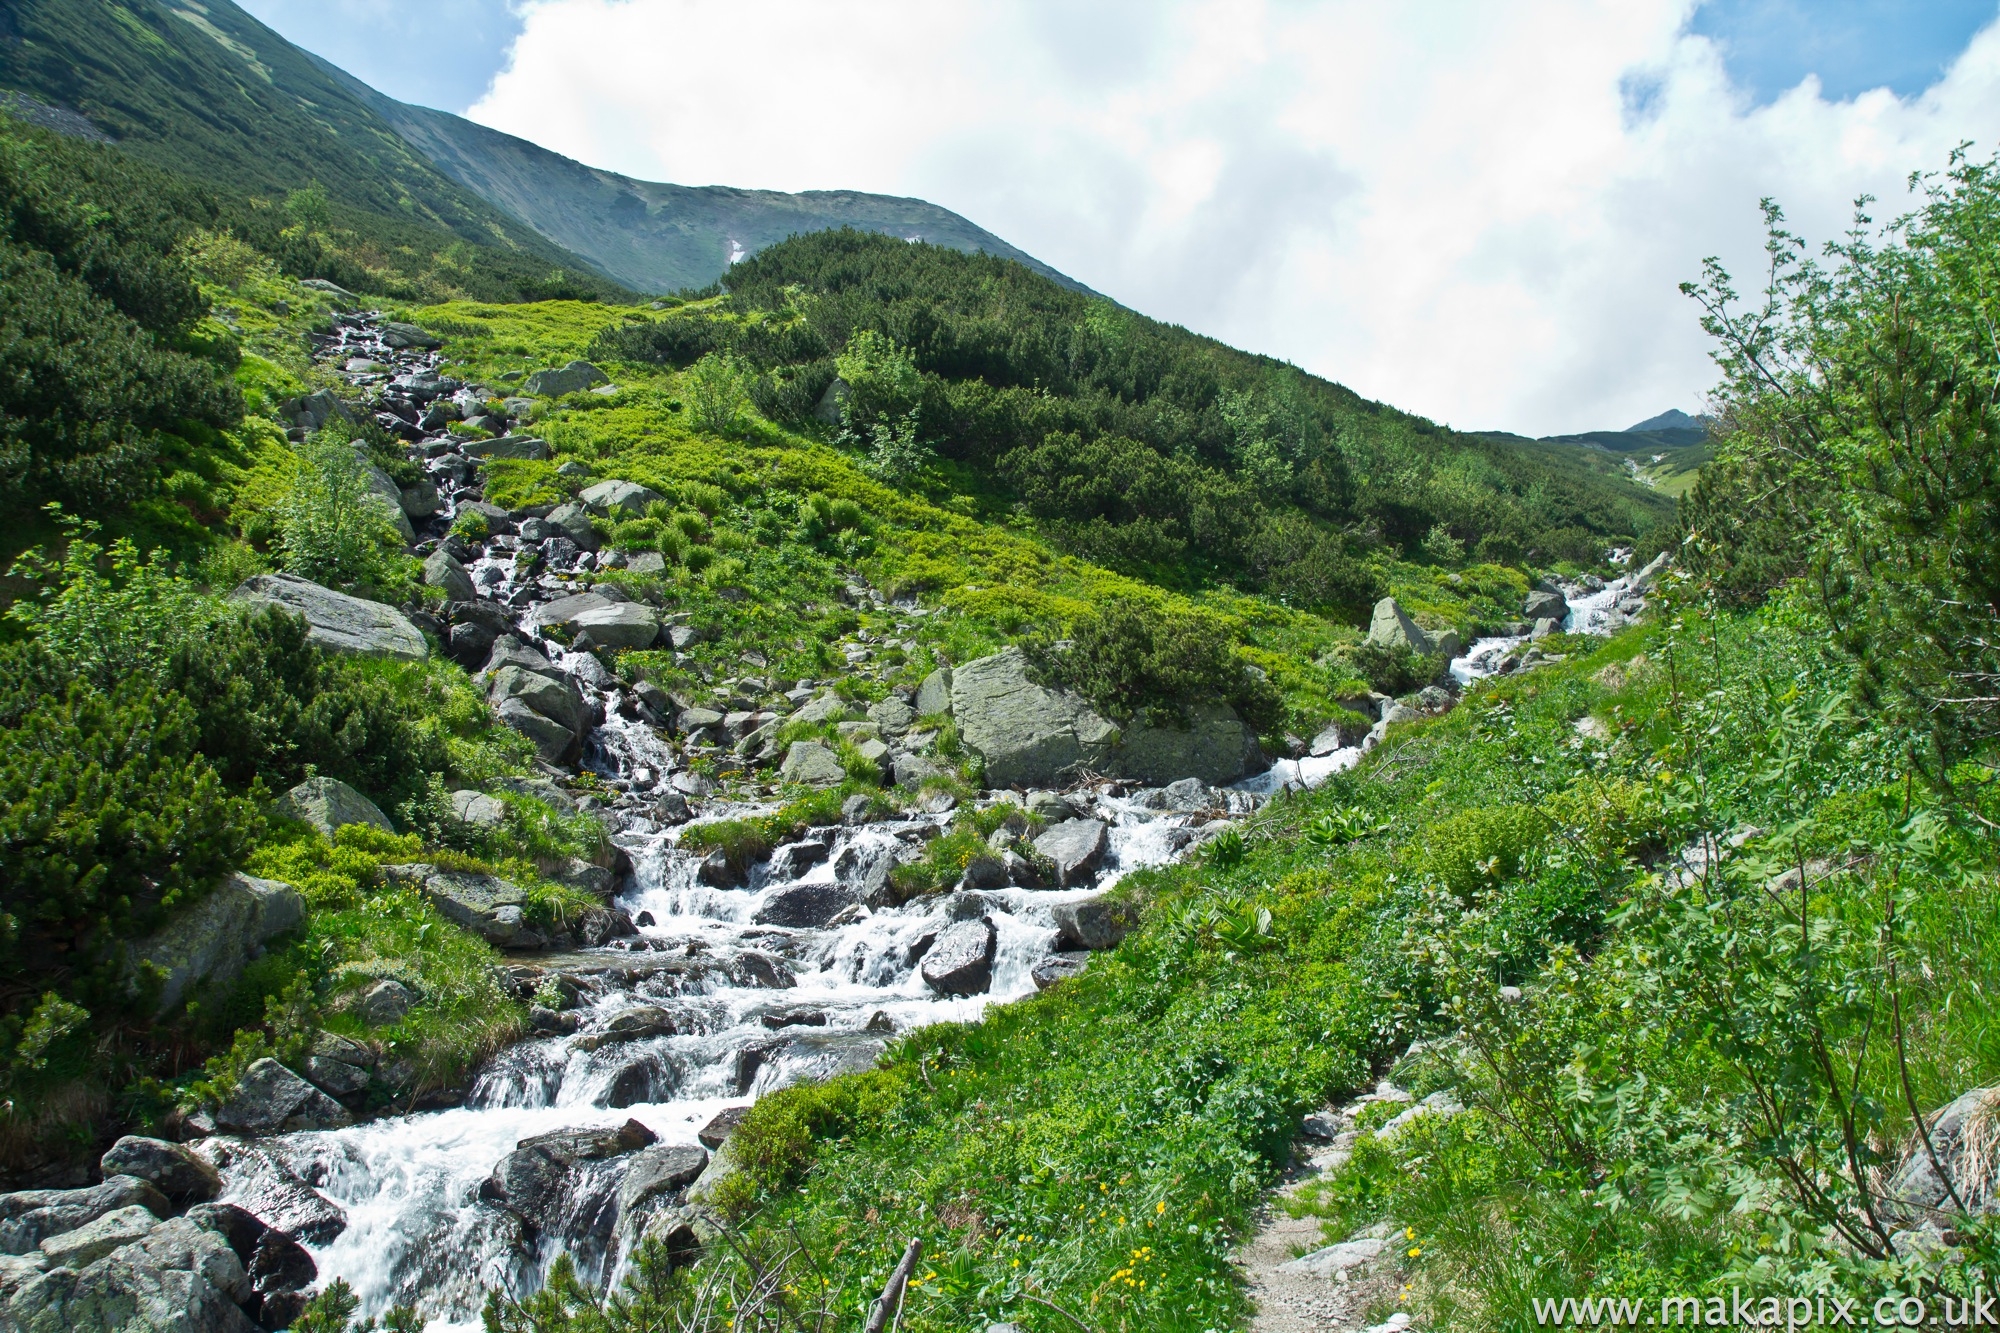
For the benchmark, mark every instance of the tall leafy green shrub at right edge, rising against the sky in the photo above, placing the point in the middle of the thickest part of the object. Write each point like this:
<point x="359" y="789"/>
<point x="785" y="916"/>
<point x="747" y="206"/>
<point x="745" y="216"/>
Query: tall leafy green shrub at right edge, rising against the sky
<point x="1861" y="447"/>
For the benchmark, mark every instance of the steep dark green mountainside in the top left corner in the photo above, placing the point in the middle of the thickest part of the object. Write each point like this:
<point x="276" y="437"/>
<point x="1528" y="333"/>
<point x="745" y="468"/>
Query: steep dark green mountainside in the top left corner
<point x="205" y="91"/>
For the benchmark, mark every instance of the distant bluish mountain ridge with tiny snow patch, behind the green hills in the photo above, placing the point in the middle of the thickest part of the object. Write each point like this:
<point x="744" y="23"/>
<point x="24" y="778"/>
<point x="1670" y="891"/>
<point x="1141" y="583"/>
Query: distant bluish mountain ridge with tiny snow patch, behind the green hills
<point x="659" y="237"/>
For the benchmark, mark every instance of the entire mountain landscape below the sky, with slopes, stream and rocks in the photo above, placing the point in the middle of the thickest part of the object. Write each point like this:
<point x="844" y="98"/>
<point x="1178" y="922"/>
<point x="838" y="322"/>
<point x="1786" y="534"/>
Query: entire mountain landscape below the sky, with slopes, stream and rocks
<point x="881" y="788"/>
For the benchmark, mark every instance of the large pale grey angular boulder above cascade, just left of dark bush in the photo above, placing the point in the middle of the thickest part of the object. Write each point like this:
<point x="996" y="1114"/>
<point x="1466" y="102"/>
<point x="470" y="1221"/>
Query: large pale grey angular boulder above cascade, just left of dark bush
<point x="1029" y="736"/>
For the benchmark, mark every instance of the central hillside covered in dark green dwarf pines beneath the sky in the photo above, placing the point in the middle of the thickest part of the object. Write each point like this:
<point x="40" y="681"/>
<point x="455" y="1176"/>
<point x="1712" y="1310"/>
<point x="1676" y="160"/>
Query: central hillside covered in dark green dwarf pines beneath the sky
<point x="1129" y="443"/>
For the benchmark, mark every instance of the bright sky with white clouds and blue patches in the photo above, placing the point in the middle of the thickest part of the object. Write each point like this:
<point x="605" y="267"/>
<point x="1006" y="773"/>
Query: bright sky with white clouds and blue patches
<point x="1471" y="211"/>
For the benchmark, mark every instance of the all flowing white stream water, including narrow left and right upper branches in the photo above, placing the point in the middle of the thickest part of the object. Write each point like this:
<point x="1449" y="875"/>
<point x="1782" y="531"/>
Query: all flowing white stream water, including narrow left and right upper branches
<point x="727" y="1002"/>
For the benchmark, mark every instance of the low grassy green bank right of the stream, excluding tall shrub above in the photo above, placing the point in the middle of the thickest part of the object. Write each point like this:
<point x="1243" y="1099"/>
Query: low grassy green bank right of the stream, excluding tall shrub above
<point x="1091" y="1158"/>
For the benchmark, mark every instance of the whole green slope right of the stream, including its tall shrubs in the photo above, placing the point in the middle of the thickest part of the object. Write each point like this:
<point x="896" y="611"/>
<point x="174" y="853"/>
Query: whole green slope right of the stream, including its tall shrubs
<point x="1699" y="930"/>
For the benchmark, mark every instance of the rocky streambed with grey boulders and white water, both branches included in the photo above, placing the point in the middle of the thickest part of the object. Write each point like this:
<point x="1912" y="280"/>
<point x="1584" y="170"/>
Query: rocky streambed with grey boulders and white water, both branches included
<point x="703" y="982"/>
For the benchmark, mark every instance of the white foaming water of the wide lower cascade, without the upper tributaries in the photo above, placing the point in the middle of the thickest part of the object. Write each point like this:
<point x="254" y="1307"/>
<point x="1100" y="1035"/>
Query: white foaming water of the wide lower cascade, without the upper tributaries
<point x="417" y="1228"/>
